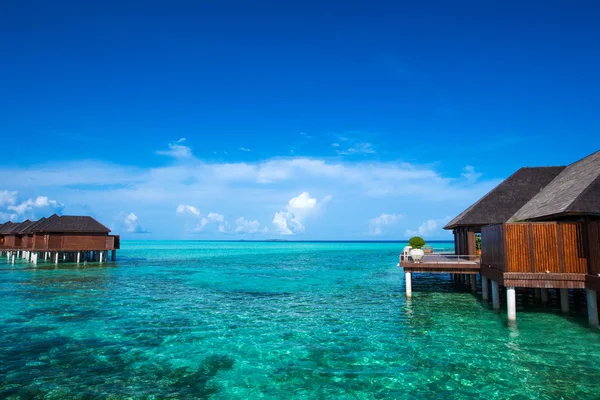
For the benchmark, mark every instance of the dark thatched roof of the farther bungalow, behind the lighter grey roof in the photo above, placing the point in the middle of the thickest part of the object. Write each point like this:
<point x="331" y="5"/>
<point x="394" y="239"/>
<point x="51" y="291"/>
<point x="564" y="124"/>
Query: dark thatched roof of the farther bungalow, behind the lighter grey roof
<point x="505" y="199"/>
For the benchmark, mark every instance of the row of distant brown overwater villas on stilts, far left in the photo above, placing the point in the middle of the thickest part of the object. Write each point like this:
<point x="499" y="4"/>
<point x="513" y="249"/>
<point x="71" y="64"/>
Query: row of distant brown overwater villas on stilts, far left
<point x="58" y="238"/>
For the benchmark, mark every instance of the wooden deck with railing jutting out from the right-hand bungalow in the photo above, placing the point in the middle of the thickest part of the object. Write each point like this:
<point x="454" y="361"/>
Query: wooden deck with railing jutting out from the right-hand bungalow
<point x="442" y="264"/>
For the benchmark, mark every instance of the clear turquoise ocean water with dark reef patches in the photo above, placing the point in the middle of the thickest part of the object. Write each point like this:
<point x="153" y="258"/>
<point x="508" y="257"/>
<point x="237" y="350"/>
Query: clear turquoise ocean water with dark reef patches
<point x="245" y="320"/>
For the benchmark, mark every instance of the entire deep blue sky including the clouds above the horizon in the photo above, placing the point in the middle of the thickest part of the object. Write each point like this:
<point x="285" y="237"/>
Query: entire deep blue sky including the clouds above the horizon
<point x="295" y="120"/>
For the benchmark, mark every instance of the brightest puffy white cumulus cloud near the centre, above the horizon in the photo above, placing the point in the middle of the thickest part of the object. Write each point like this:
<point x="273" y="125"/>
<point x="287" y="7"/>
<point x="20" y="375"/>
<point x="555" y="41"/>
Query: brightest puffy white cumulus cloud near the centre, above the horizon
<point x="290" y="221"/>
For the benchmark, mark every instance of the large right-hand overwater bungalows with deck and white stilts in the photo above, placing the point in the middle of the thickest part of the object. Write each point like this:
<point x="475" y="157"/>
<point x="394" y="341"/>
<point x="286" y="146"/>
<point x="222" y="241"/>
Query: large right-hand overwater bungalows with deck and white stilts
<point x="540" y="229"/>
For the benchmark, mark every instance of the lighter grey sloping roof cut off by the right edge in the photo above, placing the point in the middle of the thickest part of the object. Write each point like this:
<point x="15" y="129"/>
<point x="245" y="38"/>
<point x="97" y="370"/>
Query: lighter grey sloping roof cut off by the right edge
<point x="575" y="191"/>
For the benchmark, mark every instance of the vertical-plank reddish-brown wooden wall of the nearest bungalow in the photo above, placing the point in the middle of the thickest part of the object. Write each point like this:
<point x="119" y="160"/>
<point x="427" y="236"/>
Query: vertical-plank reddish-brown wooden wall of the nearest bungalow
<point x="537" y="247"/>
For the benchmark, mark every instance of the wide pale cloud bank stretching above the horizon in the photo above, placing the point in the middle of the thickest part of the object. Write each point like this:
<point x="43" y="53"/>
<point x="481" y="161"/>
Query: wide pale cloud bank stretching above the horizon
<point x="295" y="197"/>
